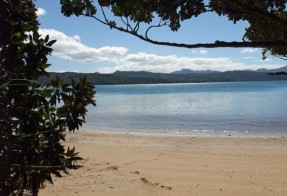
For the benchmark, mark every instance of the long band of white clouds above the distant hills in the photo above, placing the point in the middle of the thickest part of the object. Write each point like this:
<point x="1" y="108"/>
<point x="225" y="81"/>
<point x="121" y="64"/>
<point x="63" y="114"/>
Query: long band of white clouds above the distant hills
<point x="118" y="58"/>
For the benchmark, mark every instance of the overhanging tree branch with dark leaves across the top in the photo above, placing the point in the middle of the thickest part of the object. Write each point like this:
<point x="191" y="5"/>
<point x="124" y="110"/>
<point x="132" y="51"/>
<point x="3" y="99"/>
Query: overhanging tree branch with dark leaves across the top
<point x="267" y="19"/>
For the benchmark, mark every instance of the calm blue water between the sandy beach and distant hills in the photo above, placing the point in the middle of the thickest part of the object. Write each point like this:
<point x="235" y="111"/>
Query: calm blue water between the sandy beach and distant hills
<point x="206" y="108"/>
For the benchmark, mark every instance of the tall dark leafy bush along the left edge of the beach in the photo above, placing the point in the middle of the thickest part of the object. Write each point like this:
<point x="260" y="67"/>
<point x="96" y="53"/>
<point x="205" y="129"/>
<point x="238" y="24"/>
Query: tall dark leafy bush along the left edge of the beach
<point x="34" y="116"/>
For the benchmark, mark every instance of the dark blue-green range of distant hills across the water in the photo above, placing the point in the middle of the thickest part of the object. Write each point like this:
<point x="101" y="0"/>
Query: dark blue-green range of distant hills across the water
<point x="142" y="77"/>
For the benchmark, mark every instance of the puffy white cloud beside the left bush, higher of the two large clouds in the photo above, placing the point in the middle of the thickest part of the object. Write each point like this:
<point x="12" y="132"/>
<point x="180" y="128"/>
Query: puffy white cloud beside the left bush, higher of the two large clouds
<point x="71" y="48"/>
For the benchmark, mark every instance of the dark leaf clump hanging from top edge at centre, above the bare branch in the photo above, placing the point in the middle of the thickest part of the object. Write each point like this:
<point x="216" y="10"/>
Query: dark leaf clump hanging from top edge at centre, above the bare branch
<point x="173" y="11"/>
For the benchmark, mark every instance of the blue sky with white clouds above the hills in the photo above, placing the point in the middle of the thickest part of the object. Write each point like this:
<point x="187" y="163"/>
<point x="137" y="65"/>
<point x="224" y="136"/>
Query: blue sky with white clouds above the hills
<point x="84" y="45"/>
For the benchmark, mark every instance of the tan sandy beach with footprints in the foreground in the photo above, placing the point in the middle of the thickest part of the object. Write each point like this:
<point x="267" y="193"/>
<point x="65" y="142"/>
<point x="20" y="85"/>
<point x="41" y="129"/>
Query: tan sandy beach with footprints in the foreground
<point x="122" y="164"/>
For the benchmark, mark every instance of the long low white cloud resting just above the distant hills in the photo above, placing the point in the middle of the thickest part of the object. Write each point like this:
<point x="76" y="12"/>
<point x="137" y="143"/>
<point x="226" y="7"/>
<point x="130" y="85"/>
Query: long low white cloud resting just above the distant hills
<point x="166" y="64"/>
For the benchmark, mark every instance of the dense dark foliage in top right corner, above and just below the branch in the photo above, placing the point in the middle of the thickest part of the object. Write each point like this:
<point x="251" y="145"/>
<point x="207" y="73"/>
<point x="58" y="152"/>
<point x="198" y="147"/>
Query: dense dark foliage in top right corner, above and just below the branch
<point x="267" y="19"/>
